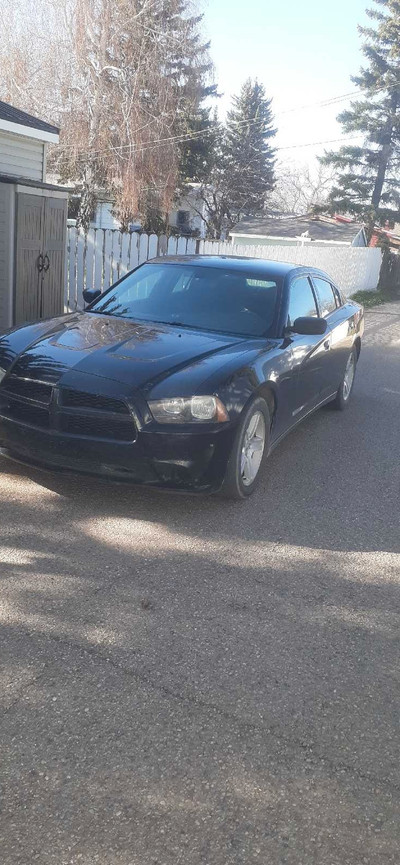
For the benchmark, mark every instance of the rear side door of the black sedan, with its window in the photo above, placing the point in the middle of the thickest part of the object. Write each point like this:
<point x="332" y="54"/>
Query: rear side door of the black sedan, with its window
<point x="340" y="334"/>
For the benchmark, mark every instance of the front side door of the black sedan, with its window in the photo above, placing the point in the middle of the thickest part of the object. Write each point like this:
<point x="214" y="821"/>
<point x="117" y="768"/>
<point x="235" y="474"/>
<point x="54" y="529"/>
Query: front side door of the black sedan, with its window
<point x="309" y="353"/>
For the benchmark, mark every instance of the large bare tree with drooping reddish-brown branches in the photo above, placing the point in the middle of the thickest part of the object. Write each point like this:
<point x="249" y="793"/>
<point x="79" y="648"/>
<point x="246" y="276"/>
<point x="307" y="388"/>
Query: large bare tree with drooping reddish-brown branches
<point x="119" y="76"/>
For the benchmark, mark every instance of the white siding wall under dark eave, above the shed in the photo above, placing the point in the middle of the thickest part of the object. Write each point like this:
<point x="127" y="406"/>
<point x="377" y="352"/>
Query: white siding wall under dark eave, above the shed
<point x="21" y="157"/>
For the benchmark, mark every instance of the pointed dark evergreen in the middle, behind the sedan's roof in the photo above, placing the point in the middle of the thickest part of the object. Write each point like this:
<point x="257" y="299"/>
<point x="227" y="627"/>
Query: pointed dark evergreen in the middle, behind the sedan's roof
<point x="250" y="157"/>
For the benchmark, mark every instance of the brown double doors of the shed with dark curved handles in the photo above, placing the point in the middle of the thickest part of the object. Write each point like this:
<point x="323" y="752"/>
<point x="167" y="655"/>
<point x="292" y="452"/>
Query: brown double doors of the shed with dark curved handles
<point x="40" y="251"/>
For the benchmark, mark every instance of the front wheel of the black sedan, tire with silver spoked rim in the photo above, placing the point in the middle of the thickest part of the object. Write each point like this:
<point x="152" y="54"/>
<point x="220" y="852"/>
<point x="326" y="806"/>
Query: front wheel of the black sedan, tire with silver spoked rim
<point x="249" y="451"/>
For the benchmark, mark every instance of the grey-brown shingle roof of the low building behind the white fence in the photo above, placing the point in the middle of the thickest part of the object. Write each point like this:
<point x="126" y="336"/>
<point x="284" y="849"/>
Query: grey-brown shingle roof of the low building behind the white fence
<point x="294" y="226"/>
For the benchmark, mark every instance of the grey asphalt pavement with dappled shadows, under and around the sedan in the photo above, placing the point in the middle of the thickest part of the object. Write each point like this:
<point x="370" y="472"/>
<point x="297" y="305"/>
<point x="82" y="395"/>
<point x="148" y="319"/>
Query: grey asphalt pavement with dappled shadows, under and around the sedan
<point x="191" y="682"/>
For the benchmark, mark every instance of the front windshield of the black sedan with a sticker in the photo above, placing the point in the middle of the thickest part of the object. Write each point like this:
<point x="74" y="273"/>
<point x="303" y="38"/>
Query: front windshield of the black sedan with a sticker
<point x="206" y="298"/>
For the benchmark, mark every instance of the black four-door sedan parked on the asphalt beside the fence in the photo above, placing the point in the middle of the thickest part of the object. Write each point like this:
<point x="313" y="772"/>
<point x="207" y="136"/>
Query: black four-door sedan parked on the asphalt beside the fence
<point x="184" y="374"/>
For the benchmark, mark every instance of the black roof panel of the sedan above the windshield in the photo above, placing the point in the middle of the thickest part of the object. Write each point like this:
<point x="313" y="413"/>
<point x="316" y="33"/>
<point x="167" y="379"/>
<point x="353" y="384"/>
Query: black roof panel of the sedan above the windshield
<point x="263" y="266"/>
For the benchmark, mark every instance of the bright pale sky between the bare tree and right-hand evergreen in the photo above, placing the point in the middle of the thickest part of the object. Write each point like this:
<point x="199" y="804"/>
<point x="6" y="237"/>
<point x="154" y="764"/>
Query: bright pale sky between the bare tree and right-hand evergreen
<point x="303" y="51"/>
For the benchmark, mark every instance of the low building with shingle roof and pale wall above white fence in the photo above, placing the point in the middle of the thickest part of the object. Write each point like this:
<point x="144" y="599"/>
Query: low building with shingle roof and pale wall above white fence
<point x="298" y="231"/>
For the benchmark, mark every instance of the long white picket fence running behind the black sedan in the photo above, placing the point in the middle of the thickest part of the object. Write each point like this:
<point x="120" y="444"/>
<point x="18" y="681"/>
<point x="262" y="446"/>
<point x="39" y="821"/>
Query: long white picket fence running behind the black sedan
<point x="99" y="257"/>
